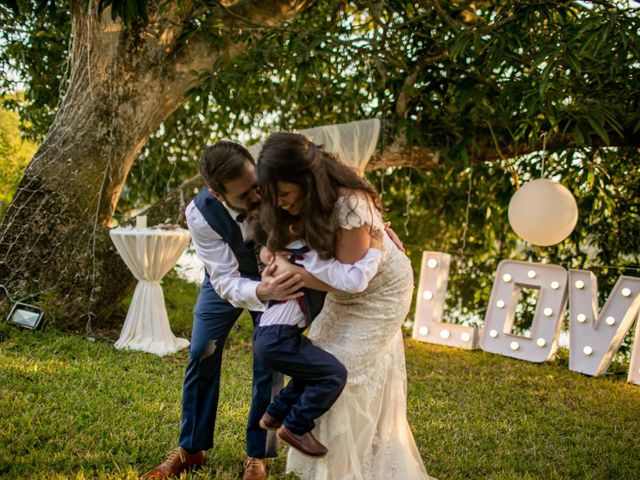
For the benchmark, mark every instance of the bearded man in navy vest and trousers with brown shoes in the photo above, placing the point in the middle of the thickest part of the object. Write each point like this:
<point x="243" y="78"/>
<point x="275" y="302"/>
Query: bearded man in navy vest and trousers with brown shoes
<point x="231" y="284"/>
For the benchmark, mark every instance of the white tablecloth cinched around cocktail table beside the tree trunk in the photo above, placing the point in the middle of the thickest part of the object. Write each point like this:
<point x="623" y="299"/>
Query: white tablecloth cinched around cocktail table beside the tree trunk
<point x="149" y="253"/>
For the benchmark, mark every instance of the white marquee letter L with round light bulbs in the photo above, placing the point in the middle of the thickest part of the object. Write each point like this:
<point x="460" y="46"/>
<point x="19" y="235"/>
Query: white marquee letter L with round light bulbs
<point x="428" y="325"/>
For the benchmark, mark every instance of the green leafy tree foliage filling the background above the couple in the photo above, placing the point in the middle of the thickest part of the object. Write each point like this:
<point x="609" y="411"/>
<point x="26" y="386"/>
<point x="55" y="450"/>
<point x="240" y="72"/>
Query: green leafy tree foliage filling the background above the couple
<point x="482" y="83"/>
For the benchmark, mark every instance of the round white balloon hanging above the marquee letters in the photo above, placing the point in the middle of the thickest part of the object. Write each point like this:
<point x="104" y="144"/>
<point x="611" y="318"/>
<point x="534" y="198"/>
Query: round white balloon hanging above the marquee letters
<point x="543" y="212"/>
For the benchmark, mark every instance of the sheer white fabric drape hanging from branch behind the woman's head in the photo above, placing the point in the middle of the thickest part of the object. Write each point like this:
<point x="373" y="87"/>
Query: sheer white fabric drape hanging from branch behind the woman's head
<point x="353" y="143"/>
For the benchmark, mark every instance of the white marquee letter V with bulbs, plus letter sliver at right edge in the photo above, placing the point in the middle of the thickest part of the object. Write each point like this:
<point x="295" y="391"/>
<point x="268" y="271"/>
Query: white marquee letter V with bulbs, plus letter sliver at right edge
<point x="595" y="338"/>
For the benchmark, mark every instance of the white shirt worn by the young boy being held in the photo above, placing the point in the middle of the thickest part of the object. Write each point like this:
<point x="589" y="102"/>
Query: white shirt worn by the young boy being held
<point x="349" y="278"/>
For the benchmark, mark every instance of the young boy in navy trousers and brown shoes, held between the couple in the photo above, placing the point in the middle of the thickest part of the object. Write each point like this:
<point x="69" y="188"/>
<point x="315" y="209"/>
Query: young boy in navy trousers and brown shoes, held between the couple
<point x="317" y="377"/>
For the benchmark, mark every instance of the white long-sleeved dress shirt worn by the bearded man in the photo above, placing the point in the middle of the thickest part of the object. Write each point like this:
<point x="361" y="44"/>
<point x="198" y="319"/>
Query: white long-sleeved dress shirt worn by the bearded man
<point x="221" y="263"/>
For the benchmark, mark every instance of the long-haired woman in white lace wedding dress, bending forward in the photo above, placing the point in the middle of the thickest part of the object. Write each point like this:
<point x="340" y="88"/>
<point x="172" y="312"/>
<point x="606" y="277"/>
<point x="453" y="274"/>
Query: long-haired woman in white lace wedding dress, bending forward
<point x="366" y="431"/>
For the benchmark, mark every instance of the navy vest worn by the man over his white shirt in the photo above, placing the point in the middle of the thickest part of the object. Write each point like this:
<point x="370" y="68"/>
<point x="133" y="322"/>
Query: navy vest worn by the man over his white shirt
<point x="219" y="219"/>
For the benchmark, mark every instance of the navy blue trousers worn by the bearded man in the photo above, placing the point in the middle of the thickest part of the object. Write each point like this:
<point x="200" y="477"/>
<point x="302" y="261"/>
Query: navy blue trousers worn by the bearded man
<point x="214" y="318"/>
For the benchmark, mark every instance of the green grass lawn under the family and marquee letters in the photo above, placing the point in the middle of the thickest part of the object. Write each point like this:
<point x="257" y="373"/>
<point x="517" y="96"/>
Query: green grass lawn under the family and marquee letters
<point x="74" y="407"/>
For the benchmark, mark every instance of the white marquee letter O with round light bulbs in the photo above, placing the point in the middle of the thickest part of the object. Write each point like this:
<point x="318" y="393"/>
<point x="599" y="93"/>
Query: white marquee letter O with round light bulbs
<point x="547" y="319"/>
